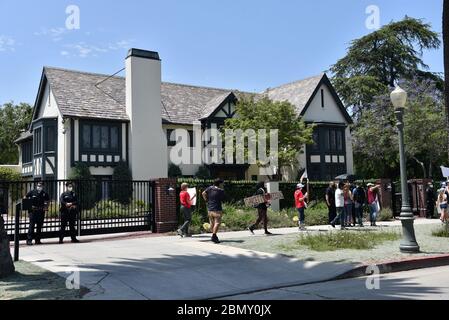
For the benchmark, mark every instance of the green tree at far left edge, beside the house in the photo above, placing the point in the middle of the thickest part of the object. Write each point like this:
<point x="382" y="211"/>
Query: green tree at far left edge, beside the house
<point x="14" y="119"/>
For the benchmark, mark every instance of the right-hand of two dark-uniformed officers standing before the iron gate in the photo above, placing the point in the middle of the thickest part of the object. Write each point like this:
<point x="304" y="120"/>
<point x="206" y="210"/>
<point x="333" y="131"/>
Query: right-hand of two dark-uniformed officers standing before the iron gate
<point x="69" y="211"/>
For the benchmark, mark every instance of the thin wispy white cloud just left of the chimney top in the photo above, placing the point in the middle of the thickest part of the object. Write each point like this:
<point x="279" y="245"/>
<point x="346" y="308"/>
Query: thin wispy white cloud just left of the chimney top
<point x="85" y="50"/>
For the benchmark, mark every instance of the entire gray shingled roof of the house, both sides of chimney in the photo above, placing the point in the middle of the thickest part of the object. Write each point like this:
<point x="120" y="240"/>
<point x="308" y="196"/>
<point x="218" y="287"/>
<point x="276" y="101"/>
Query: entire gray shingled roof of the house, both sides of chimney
<point x="78" y="94"/>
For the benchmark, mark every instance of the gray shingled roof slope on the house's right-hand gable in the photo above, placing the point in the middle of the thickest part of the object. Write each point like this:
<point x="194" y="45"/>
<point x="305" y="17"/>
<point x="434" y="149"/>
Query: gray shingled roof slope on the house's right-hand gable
<point x="297" y="93"/>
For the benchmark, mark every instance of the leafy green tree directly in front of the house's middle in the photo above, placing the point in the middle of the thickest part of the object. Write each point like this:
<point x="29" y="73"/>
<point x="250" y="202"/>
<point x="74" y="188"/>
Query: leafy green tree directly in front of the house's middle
<point x="293" y="132"/>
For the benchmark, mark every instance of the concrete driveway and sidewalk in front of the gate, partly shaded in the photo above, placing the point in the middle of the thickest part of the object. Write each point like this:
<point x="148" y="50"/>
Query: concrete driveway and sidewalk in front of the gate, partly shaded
<point x="149" y="267"/>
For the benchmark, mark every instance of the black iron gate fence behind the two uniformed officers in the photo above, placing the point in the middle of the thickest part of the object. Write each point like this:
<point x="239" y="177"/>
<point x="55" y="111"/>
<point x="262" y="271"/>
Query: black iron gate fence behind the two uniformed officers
<point x="105" y="206"/>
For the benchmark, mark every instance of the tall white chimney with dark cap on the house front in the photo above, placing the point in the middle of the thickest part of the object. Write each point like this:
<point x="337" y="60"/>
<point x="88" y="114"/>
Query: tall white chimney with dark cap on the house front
<point x="147" y="140"/>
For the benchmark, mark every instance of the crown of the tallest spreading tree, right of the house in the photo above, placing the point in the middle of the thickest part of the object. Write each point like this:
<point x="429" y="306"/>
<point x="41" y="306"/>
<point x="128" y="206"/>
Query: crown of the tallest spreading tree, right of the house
<point x="376" y="61"/>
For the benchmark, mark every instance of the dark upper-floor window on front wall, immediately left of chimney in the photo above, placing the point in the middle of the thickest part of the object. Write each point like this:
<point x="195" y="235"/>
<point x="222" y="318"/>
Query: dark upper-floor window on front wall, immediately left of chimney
<point x="100" y="137"/>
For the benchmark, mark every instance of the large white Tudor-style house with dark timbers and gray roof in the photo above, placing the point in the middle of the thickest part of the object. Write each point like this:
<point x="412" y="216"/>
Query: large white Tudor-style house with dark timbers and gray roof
<point x="101" y="120"/>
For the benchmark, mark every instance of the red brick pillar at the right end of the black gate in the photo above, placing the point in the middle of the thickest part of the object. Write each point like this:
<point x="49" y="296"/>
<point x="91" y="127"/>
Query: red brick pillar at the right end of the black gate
<point x="165" y="216"/>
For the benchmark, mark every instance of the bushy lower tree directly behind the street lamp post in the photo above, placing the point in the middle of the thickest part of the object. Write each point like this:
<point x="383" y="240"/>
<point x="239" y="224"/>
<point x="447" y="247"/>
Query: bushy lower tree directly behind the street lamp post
<point x="375" y="139"/>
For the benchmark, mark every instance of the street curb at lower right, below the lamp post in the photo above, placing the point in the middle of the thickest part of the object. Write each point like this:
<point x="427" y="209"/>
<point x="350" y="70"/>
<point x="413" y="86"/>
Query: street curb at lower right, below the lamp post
<point x="397" y="266"/>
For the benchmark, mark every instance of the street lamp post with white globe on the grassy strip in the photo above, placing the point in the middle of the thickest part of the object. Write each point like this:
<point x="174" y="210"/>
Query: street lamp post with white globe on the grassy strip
<point x="408" y="243"/>
